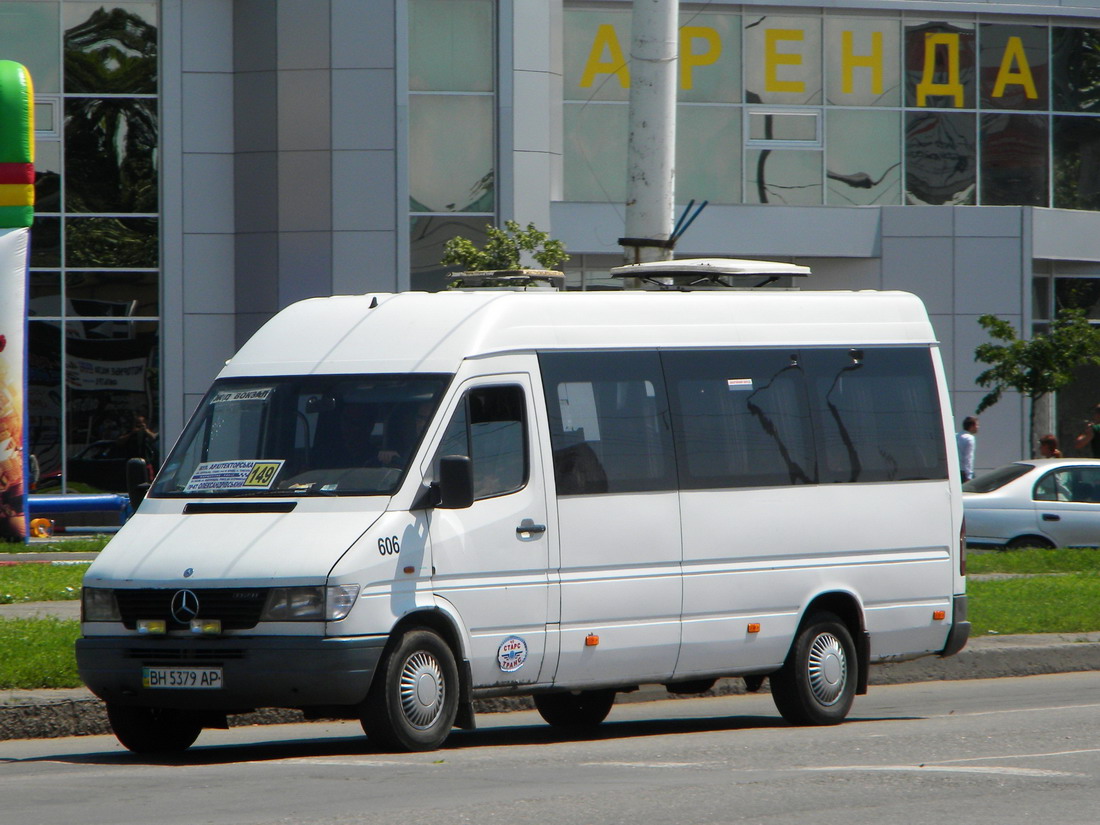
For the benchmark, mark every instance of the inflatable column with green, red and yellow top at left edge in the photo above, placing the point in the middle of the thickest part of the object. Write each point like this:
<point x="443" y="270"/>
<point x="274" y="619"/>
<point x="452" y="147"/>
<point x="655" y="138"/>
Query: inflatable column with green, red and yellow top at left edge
<point x="17" y="214"/>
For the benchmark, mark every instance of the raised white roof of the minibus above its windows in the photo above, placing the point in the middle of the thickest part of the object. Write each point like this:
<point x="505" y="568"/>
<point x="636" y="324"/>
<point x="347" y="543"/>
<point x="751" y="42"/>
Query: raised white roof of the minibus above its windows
<point x="435" y="332"/>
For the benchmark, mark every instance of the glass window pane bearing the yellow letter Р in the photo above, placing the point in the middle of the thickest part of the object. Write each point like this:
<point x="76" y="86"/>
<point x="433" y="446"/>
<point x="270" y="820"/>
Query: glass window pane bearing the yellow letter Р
<point x="710" y="63"/>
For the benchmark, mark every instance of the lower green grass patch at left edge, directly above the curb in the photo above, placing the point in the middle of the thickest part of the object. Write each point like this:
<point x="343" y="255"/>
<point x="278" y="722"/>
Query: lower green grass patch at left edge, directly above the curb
<point x="38" y="654"/>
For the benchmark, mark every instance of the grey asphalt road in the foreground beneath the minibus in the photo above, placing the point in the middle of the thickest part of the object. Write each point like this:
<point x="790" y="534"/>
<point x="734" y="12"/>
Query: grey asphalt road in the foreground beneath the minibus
<point x="1007" y="751"/>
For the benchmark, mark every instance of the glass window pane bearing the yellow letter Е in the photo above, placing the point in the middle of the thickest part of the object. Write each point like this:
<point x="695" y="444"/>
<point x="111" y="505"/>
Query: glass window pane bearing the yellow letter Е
<point x="783" y="59"/>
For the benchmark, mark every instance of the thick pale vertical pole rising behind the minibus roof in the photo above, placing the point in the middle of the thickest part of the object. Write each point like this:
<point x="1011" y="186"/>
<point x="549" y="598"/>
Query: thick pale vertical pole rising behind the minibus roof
<point x="653" y="139"/>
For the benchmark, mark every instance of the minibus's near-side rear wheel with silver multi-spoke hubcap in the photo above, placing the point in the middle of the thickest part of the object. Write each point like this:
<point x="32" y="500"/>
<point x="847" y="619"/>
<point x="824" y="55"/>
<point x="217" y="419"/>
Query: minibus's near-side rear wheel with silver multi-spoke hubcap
<point x="818" y="683"/>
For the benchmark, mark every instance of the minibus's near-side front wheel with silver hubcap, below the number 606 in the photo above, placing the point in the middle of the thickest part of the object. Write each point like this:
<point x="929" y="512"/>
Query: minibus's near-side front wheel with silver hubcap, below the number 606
<point x="415" y="696"/>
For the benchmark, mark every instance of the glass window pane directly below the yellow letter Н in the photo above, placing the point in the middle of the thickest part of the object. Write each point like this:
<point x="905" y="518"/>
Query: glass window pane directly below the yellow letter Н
<point x="863" y="158"/>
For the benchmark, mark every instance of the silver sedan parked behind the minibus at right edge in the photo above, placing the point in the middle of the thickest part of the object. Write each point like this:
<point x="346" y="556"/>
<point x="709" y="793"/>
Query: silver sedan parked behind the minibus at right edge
<point x="1038" y="503"/>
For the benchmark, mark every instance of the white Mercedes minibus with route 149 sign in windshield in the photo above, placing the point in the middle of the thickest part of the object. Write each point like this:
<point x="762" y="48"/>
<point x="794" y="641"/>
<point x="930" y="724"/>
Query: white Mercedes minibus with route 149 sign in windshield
<point x="389" y="507"/>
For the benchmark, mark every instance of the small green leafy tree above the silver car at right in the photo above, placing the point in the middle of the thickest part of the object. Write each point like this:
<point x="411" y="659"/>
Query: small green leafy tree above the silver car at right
<point x="1038" y="367"/>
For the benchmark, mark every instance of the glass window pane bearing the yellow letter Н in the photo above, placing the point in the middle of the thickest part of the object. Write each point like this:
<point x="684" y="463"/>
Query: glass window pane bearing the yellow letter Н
<point x="863" y="62"/>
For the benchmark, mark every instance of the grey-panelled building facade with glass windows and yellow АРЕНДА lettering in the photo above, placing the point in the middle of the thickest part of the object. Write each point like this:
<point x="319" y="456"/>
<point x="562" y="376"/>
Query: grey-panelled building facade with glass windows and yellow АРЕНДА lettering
<point x="204" y="163"/>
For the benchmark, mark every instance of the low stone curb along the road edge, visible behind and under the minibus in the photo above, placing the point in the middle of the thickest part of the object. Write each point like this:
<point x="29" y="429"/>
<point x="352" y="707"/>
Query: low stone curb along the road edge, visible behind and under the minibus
<point x="49" y="714"/>
